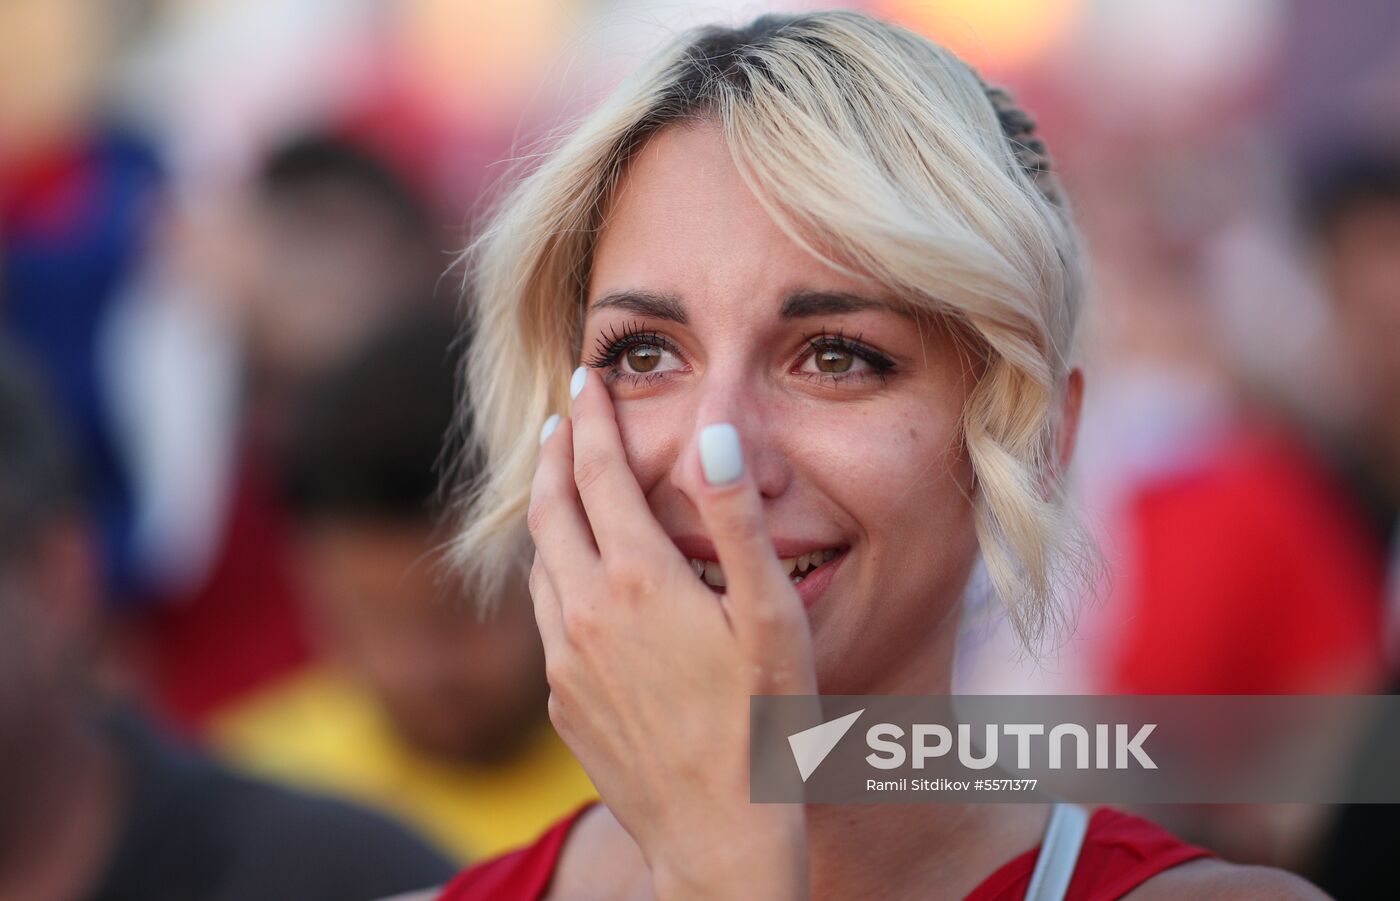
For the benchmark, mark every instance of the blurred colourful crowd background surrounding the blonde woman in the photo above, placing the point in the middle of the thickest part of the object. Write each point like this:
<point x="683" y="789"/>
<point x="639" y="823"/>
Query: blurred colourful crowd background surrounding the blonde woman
<point x="226" y="299"/>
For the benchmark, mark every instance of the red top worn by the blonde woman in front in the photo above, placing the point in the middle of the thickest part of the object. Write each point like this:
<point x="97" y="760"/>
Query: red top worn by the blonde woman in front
<point x="1121" y="853"/>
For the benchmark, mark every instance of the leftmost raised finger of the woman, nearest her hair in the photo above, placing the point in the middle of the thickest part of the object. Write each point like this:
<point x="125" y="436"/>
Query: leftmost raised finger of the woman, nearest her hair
<point x="556" y="520"/>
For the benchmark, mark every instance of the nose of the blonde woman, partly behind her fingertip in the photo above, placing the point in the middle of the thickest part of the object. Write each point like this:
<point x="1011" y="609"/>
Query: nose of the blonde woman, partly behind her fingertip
<point x="729" y="398"/>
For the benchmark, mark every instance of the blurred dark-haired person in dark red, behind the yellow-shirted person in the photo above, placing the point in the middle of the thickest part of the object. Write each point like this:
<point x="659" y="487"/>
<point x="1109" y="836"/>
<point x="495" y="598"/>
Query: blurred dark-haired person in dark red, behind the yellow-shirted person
<point x="335" y="240"/>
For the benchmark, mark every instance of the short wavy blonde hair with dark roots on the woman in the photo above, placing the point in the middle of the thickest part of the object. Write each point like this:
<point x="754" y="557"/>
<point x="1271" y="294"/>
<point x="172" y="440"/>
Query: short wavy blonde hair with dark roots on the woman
<point x="876" y="150"/>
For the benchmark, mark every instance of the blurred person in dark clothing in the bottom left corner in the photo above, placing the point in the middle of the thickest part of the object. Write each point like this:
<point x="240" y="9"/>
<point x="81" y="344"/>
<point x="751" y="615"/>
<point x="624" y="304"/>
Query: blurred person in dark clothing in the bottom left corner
<point x="93" y="802"/>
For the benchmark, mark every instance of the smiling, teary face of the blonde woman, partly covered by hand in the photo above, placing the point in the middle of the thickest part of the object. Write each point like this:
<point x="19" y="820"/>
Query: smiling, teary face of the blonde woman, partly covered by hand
<point x="702" y="311"/>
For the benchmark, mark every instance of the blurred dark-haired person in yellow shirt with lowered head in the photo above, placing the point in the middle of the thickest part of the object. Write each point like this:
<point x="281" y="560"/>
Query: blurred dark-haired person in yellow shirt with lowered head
<point x="418" y="706"/>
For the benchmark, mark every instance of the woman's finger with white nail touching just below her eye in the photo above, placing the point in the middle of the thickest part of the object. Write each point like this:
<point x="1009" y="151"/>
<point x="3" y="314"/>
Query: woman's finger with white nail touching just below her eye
<point x="618" y="513"/>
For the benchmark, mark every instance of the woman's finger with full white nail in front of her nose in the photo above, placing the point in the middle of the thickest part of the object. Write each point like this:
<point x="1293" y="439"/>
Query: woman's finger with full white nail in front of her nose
<point x="758" y="590"/>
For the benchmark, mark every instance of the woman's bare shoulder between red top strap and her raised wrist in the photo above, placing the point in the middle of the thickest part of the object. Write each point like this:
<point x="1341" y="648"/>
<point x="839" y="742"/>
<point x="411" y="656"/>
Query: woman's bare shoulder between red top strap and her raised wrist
<point x="600" y="860"/>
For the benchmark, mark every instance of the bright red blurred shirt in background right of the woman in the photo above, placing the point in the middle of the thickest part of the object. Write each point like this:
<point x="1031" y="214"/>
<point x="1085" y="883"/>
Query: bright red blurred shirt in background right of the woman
<point x="1248" y="574"/>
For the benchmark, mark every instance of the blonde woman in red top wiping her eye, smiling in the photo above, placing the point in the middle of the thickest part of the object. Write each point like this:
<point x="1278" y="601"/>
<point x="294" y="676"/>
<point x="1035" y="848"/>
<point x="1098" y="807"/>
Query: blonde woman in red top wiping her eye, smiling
<point x="824" y="290"/>
